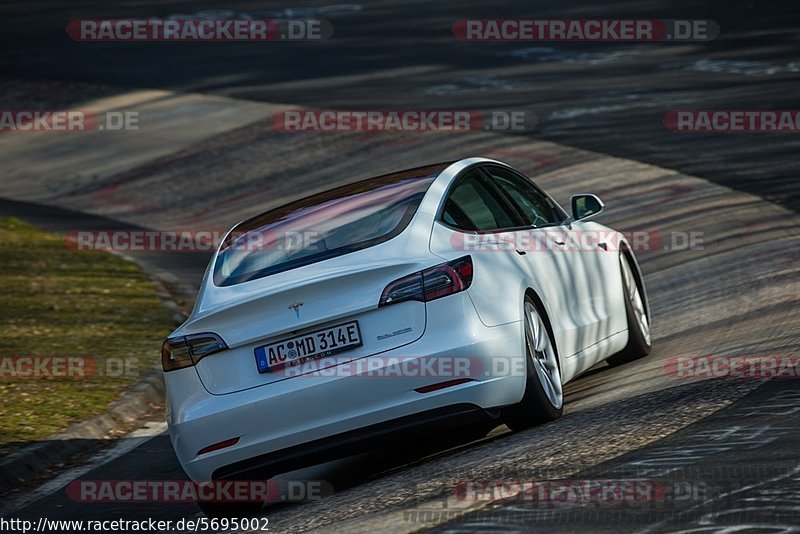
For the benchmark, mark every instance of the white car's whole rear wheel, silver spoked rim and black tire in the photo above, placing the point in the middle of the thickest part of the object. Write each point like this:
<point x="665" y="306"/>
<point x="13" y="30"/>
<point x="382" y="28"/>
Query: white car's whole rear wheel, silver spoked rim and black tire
<point x="543" y="400"/>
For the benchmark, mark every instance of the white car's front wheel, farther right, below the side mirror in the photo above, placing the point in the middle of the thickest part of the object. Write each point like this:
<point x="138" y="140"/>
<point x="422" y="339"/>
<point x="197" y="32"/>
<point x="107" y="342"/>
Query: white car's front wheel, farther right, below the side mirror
<point x="639" y="342"/>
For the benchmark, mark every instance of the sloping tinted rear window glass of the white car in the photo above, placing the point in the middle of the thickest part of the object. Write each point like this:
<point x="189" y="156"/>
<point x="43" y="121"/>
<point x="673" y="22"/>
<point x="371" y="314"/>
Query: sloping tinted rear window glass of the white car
<point x="323" y="226"/>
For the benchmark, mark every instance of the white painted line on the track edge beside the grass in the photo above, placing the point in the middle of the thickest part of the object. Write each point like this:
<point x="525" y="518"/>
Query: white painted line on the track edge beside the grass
<point x="127" y="444"/>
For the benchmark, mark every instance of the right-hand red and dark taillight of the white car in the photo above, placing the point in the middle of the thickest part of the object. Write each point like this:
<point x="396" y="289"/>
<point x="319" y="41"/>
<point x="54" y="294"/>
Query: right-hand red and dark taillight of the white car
<point x="430" y="284"/>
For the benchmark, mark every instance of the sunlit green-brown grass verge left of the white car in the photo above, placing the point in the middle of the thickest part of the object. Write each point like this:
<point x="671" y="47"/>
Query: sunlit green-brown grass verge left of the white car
<point x="97" y="318"/>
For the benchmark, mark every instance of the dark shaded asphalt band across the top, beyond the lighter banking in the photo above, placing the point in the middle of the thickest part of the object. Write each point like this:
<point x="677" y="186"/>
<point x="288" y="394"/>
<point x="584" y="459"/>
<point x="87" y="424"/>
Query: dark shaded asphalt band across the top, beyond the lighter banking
<point x="608" y="97"/>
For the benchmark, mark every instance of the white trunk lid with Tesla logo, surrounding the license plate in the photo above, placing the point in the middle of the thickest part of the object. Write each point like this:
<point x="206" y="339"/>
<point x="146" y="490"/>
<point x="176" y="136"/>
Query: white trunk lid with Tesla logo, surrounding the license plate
<point x="289" y="305"/>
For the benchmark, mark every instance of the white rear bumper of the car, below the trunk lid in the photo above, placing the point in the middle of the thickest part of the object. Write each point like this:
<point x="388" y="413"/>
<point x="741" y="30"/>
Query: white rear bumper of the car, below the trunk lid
<point x="309" y="419"/>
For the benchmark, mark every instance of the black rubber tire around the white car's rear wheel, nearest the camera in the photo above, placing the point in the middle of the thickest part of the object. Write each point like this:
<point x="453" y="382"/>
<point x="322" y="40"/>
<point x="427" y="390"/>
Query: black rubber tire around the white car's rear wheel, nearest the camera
<point x="535" y="407"/>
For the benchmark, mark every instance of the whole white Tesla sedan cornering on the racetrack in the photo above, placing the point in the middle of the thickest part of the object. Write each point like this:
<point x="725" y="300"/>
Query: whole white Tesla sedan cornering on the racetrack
<point x="437" y="297"/>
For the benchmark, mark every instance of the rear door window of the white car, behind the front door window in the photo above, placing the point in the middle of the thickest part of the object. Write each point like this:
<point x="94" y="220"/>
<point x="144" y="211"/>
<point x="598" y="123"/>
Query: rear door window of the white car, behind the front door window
<point x="474" y="205"/>
